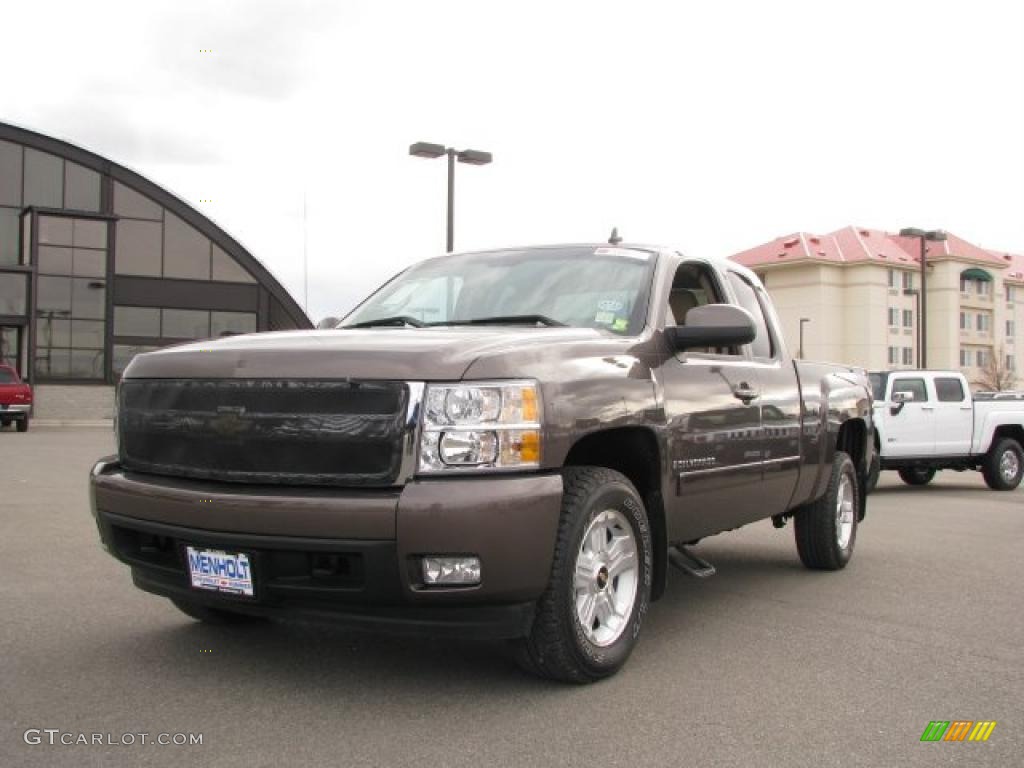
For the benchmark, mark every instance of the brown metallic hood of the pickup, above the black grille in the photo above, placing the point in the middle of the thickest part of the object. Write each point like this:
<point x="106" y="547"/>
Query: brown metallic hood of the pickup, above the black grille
<point x="396" y="354"/>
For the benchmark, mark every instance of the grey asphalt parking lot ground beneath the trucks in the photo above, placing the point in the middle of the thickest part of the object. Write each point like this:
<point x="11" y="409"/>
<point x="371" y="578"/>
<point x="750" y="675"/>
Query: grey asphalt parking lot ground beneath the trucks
<point x="764" y="665"/>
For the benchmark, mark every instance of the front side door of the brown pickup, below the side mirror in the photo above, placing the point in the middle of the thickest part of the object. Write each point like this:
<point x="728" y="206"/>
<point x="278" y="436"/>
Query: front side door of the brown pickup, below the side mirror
<point x="712" y="403"/>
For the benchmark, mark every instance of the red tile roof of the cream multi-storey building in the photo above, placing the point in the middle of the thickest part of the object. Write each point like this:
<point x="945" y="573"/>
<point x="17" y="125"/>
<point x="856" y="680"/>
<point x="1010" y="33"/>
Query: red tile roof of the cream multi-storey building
<point x="852" y="244"/>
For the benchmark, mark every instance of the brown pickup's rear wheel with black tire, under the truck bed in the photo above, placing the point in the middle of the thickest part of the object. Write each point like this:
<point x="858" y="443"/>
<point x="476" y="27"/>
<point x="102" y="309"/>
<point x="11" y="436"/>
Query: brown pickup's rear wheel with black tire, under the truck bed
<point x="827" y="530"/>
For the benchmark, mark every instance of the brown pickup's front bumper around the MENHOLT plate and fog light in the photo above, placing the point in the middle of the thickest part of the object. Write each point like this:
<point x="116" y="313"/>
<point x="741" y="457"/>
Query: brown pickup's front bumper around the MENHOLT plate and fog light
<point x="344" y="554"/>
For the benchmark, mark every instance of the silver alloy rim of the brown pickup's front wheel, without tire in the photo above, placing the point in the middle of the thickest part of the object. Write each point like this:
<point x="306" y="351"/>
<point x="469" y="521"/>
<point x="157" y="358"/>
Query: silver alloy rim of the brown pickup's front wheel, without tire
<point x="607" y="578"/>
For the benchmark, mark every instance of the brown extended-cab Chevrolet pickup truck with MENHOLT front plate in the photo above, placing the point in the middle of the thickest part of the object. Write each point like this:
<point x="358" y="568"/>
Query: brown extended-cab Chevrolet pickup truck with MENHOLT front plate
<point x="513" y="445"/>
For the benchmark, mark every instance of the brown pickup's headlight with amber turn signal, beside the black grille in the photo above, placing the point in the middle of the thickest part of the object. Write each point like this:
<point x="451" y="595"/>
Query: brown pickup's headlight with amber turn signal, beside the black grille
<point x="481" y="425"/>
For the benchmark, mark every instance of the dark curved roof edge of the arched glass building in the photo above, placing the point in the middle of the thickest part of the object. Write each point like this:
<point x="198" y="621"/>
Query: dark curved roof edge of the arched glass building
<point x="172" y="202"/>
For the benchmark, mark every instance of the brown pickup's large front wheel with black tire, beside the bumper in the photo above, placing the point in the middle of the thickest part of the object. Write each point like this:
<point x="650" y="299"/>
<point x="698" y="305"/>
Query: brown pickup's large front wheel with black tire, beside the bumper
<point x="589" y="618"/>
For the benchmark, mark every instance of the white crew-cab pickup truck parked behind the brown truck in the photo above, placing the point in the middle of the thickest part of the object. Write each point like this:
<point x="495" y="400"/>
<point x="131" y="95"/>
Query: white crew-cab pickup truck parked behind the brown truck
<point x="928" y="420"/>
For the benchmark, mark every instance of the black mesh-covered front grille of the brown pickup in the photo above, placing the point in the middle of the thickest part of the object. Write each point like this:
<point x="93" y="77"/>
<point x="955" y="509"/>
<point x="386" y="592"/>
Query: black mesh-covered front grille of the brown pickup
<point x="265" y="432"/>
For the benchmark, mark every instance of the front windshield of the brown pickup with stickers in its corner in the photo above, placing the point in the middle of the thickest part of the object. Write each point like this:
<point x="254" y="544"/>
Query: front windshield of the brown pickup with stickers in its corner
<point x="603" y="288"/>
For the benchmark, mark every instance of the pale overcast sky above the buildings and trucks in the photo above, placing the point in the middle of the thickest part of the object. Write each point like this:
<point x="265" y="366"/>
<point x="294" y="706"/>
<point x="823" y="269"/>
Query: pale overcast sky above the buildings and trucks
<point x="708" y="126"/>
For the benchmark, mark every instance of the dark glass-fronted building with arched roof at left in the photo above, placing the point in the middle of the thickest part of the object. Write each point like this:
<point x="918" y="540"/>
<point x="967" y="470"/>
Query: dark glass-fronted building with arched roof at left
<point x="98" y="265"/>
